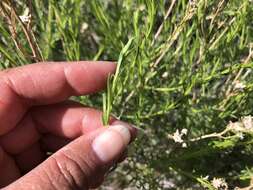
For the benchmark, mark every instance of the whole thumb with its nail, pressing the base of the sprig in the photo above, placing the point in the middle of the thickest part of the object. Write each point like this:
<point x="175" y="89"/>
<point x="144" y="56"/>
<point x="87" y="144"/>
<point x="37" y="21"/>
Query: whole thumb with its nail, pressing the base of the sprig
<point x="82" y="163"/>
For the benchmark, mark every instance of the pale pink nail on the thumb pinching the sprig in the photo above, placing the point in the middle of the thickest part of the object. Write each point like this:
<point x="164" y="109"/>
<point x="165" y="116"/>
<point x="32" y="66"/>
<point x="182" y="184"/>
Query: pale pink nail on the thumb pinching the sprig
<point x="111" y="142"/>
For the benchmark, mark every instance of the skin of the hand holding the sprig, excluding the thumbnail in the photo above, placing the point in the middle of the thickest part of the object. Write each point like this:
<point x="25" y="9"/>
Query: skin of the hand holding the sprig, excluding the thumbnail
<point x="37" y="117"/>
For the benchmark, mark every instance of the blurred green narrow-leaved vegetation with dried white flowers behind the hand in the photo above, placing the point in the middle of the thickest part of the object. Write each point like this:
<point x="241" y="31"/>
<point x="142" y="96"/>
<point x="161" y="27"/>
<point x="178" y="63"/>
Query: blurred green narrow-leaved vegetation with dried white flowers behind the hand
<point x="185" y="78"/>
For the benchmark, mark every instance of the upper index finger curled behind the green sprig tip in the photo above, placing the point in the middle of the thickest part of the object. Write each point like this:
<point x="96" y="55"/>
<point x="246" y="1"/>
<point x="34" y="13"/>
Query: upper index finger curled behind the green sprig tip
<point x="47" y="83"/>
